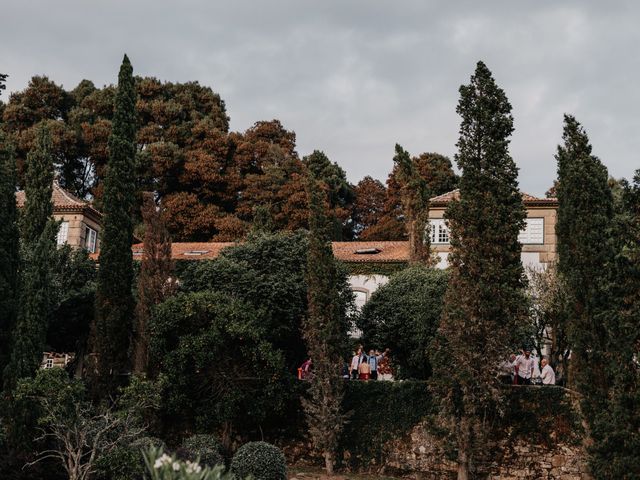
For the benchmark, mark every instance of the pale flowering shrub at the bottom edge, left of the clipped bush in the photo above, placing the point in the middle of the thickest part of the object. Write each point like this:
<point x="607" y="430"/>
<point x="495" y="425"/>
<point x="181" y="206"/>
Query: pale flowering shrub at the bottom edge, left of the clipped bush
<point x="161" y="466"/>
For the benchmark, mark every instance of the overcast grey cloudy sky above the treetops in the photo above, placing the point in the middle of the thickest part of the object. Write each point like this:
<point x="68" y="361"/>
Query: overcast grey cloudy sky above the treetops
<point x="353" y="77"/>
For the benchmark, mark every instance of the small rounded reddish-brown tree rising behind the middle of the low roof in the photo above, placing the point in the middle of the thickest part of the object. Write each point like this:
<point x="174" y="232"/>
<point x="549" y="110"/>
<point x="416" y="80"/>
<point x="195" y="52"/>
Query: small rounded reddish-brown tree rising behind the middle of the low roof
<point x="368" y="206"/>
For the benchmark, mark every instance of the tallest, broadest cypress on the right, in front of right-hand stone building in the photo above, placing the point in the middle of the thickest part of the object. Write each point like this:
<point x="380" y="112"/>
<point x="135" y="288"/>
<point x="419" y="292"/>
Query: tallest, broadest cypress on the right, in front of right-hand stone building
<point x="485" y="300"/>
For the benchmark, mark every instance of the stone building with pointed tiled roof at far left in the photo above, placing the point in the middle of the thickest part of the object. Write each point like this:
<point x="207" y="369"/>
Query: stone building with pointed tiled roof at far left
<point x="80" y="223"/>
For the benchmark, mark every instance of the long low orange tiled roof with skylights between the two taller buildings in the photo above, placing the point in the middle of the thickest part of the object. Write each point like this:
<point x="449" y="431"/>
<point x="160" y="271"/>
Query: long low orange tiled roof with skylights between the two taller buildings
<point x="345" y="251"/>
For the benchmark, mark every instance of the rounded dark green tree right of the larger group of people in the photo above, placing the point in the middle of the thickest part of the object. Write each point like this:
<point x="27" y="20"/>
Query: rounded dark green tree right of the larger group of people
<point x="403" y="315"/>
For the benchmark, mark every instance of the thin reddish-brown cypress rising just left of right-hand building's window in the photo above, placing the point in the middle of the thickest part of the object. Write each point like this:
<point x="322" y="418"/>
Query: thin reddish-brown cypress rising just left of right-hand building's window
<point x="414" y="193"/>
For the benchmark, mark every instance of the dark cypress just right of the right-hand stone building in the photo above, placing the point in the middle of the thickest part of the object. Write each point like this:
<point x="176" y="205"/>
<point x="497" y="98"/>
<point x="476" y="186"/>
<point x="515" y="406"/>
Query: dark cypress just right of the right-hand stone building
<point x="584" y="260"/>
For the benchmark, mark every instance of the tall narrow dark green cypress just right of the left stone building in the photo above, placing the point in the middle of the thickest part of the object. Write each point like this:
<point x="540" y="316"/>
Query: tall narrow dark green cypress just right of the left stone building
<point x="114" y="300"/>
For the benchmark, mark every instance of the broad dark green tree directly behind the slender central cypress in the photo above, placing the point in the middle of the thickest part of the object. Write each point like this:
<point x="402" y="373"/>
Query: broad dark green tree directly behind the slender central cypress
<point x="268" y="271"/>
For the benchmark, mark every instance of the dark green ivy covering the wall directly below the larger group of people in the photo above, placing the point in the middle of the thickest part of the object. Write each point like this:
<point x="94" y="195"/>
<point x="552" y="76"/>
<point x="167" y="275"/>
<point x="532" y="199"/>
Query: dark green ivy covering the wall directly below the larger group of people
<point x="398" y="407"/>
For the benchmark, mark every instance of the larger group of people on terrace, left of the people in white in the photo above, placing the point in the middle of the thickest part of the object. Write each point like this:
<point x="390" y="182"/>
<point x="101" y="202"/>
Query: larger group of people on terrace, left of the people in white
<point x="372" y="366"/>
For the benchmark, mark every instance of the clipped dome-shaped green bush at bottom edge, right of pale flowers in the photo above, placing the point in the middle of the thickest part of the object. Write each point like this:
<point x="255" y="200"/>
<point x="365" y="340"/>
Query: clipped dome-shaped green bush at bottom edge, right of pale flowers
<point x="260" y="460"/>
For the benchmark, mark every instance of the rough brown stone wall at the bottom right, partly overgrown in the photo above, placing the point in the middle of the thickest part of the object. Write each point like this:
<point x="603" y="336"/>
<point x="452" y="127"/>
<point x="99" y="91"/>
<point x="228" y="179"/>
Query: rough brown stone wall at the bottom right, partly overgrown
<point x="420" y="456"/>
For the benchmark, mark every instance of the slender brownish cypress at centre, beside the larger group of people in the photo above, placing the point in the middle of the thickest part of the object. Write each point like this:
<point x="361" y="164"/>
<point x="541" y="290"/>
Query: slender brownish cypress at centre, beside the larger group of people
<point x="324" y="332"/>
